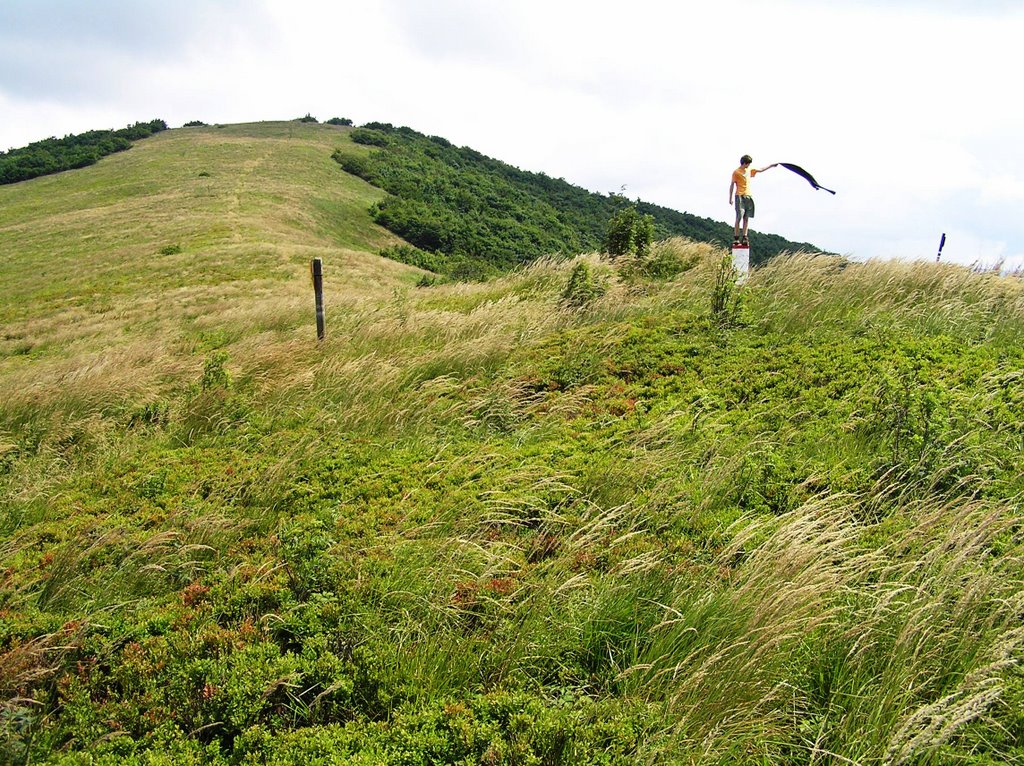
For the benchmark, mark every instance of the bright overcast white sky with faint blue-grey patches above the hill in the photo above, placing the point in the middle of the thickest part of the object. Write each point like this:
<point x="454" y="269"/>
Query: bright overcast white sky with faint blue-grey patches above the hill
<point x="909" y="109"/>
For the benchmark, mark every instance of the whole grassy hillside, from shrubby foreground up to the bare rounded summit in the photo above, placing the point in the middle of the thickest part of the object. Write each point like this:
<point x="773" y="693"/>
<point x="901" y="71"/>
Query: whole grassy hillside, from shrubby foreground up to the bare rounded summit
<point x="590" y="513"/>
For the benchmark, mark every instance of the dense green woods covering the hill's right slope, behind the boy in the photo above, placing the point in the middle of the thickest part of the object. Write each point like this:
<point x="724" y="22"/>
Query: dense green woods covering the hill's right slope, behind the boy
<point x="456" y="202"/>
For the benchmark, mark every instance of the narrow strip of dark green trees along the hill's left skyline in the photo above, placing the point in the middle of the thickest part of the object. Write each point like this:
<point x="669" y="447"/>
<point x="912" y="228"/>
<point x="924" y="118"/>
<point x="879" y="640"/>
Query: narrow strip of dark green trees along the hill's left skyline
<point x="57" y="155"/>
